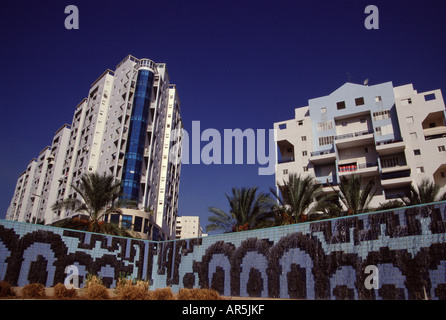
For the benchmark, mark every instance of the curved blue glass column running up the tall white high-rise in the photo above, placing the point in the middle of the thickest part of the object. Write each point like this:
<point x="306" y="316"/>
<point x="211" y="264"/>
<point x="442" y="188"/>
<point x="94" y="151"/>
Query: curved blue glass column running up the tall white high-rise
<point x="137" y="131"/>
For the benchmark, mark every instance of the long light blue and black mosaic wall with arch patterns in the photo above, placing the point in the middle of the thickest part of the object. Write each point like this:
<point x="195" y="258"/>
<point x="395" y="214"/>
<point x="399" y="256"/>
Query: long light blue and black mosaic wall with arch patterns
<point x="319" y="260"/>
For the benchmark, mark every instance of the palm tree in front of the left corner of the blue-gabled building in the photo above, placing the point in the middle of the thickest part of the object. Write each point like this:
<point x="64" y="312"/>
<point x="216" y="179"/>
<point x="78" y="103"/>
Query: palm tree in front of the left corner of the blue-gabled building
<point x="295" y="199"/>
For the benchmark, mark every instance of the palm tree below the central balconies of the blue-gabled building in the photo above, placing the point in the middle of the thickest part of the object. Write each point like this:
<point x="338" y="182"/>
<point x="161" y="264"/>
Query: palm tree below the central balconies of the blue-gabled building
<point x="352" y="197"/>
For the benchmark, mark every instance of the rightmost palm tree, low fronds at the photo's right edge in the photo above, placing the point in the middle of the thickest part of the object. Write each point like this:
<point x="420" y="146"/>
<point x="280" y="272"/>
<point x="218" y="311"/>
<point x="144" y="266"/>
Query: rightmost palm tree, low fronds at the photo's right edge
<point x="425" y="192"/>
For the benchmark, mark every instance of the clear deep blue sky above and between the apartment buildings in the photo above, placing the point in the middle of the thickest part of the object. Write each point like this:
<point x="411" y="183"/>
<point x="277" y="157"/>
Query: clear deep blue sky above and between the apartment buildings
<point x="237" y="64"/>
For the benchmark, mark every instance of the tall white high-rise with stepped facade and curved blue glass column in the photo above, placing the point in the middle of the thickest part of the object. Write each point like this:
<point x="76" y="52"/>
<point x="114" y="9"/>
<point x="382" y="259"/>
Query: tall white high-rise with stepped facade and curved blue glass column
<point x="128" y="126"/>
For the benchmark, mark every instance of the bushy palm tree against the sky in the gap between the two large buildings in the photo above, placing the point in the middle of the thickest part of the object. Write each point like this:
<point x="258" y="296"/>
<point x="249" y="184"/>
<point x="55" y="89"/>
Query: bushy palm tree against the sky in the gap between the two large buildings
<point x="248" y="210"/>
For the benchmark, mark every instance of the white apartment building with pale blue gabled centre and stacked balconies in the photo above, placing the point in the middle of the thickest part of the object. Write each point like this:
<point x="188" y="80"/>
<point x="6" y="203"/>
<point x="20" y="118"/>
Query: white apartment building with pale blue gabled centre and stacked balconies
<point x="393" y="135"/>
